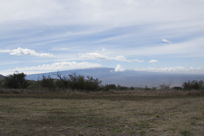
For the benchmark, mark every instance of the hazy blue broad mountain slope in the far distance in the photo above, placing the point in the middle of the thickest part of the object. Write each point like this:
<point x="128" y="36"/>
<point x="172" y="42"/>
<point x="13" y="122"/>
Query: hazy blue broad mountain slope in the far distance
<point x="127" y="78"/>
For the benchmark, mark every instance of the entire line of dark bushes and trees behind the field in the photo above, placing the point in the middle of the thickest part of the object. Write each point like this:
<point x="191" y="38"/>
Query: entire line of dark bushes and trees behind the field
<point x="78" y="82"/>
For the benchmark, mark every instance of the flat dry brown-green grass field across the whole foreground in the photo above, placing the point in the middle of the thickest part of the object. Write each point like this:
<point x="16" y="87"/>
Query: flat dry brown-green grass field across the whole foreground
<point x="139" y="116"/>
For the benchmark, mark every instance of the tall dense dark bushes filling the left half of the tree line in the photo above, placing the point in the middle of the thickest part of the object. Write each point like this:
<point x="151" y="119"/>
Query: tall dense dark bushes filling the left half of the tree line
<point x="73" y="82"/>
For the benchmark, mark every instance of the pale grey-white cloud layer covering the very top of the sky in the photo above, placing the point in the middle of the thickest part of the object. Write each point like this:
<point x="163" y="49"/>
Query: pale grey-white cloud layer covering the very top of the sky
<point x="100" y="11"/>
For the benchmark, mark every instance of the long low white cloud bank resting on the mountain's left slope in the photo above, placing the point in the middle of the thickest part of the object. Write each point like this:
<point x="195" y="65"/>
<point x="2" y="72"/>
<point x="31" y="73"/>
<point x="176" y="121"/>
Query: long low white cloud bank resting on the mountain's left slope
<point x="52" y="67"/>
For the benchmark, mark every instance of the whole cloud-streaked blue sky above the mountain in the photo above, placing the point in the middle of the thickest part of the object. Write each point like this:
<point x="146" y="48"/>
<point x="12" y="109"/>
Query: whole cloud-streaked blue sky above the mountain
<point x="38" y="36"/>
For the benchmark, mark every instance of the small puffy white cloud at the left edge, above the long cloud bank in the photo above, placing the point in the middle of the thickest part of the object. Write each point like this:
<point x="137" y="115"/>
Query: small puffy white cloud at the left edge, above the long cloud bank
<point x="24" y="51"/>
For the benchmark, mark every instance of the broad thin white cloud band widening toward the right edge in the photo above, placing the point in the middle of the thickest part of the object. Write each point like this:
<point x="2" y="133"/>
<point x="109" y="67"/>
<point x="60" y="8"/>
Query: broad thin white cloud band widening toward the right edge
<point x="187" y="48"/>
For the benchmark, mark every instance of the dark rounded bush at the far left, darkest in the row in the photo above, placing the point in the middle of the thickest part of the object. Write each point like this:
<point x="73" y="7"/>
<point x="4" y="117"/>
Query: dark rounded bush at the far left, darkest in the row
<point x="16" y="81"/>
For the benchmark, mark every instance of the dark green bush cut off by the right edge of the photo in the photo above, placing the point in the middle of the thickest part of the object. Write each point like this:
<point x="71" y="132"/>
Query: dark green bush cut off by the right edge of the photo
<point x="196" y="85"/>
